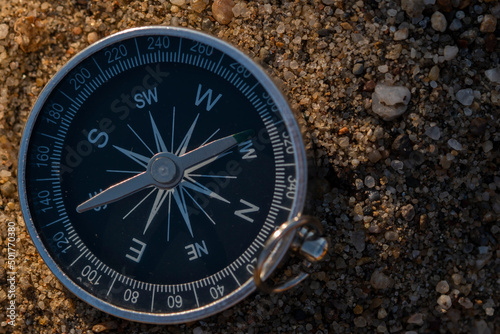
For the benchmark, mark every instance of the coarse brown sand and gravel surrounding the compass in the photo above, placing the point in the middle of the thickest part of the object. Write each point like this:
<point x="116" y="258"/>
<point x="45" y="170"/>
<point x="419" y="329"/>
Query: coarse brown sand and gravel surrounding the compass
<point x="409" y="196"/>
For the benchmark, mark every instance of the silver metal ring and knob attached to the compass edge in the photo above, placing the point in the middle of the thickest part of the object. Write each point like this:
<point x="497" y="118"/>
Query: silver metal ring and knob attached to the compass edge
<point x="307" y="242"/>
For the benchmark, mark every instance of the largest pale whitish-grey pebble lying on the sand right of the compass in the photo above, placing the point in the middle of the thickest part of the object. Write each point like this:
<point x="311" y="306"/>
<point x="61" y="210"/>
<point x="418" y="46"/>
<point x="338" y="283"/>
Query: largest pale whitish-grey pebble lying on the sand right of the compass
<point x="389" y="102"/>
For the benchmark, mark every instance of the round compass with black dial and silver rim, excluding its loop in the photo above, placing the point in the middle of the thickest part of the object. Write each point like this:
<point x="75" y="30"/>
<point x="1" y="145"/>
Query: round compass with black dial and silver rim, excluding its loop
<point x="154" y="166"/>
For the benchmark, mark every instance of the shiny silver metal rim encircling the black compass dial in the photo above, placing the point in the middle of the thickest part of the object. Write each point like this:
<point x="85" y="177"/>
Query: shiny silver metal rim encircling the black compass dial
<point x="288" y="118"/>
